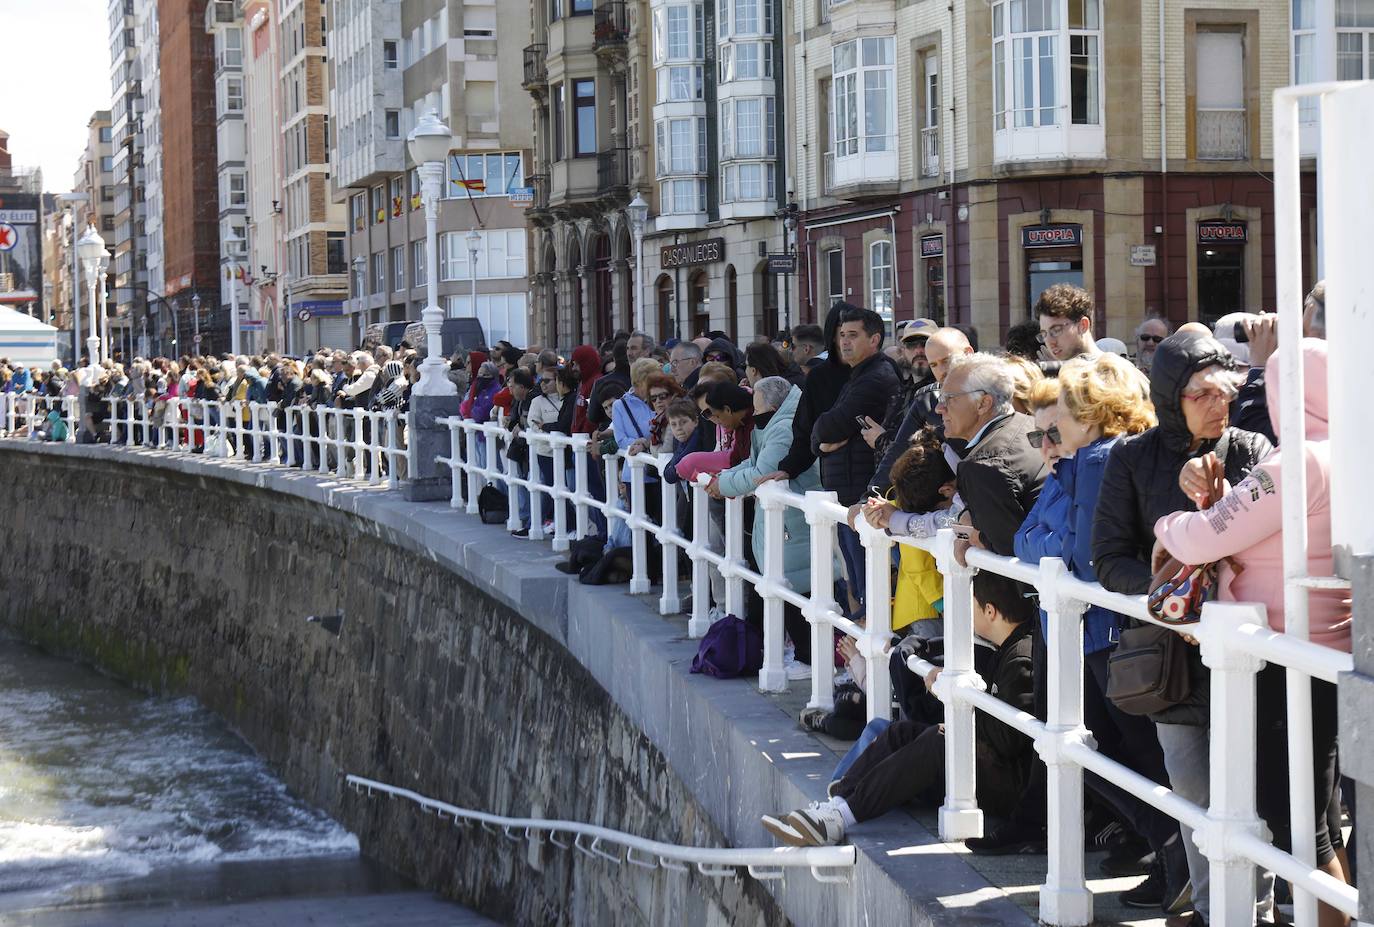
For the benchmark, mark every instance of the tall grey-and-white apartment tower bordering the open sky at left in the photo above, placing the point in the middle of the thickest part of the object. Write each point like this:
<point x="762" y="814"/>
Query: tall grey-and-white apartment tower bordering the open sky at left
<point x="130" y="262"/>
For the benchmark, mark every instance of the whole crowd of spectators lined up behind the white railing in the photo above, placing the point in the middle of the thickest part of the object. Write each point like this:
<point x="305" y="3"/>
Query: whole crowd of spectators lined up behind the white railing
<point x="1053" y="446"/>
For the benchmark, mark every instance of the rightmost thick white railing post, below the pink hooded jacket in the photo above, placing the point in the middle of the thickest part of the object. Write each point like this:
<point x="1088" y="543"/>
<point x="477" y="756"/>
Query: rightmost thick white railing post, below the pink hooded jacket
<point x="1233" y="760"/>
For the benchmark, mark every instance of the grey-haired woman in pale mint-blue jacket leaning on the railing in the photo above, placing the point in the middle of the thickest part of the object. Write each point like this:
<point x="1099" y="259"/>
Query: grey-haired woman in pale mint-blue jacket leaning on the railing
<point x="776" y="404"/>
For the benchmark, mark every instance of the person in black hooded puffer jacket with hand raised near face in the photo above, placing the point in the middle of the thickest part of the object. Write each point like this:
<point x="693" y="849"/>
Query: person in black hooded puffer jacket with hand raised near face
<point x="1192" y="384"/>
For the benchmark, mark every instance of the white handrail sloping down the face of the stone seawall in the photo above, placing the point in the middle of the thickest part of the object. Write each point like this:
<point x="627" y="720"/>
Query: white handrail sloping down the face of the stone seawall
<point x="825" y="863"/>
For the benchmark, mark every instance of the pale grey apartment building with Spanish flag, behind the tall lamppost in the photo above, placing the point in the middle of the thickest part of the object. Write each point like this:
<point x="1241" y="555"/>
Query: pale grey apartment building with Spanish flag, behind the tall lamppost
<point x="394" y="64"/>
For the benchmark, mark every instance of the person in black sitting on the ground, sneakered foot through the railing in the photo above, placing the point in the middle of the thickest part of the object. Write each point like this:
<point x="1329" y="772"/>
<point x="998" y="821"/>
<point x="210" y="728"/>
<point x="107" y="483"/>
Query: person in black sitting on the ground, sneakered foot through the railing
<point x="906" y="763"/>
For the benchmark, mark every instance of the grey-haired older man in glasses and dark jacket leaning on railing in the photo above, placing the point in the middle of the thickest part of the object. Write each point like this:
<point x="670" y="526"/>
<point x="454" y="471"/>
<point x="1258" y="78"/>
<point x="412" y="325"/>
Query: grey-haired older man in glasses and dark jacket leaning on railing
<point x="1001" y="474"/>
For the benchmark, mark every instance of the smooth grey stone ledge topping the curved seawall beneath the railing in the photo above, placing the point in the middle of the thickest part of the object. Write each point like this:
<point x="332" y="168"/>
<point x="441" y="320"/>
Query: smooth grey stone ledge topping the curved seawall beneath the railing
<point x="734" y="748"/>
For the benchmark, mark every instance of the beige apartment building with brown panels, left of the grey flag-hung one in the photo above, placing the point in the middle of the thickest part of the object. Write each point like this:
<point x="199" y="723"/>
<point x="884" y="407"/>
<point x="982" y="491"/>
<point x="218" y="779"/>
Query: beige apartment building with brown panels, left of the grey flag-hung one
<point x="313" y="225"/>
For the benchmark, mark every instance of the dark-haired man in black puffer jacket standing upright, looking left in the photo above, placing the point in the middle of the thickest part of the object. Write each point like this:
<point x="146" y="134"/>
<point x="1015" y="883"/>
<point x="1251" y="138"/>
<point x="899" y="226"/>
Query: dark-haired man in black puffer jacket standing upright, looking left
<point x="847" y="462"/>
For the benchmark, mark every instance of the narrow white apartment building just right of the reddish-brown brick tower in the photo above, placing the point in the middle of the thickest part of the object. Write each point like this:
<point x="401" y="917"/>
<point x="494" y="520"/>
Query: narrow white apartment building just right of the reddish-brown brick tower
<point x="225" y="25"/>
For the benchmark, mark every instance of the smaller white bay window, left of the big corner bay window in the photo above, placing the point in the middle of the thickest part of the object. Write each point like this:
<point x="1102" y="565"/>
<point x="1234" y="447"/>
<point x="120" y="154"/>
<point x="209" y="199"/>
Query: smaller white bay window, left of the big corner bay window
<point x="864" y="111"/>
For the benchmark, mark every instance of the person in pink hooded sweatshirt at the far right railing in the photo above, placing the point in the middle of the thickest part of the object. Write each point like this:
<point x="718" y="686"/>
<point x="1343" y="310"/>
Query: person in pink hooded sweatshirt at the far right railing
<point x="1246" y="527"/>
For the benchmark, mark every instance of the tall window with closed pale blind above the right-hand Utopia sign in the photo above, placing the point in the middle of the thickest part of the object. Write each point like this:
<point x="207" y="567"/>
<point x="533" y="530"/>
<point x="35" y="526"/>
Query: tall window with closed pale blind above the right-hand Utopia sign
<point x="1221" y="126"/>
